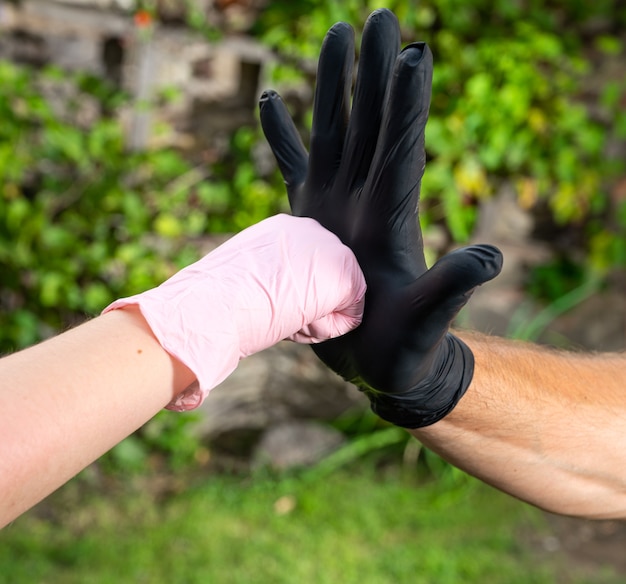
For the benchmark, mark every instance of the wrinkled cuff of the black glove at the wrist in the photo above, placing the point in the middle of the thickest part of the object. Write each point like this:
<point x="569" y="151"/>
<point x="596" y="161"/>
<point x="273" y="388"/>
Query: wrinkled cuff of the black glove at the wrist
<point x="433" y="398"/>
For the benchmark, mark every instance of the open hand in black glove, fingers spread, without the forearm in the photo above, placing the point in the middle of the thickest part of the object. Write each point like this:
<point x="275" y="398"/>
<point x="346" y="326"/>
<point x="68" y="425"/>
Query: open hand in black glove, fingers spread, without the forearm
<point x="361" y="180"/>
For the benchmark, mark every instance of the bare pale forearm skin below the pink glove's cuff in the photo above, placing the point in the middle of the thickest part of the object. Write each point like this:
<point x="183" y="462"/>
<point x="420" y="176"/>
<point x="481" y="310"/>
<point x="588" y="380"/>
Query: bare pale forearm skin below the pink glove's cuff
<point x="64" y="403"/>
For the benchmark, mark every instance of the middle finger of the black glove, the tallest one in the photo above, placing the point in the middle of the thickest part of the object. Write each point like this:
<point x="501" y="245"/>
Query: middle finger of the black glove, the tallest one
<point x="379" y="49"/>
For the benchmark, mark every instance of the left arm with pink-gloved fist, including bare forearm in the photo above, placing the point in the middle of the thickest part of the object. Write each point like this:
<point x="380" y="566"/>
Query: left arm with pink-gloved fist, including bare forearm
<point x="68" y="400"/>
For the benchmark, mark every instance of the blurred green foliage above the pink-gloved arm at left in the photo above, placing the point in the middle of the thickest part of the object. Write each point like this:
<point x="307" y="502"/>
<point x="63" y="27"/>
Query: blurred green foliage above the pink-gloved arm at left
<point x="83" y="220"/>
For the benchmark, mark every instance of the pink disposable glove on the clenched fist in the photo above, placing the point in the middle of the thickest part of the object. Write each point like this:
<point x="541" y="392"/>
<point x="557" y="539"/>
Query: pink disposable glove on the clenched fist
<point x="285" y="277"/>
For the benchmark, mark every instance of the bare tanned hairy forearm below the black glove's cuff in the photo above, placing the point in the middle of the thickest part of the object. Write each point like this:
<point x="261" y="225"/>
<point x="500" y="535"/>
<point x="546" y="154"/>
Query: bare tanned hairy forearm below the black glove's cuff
<point x="545" y="426"/>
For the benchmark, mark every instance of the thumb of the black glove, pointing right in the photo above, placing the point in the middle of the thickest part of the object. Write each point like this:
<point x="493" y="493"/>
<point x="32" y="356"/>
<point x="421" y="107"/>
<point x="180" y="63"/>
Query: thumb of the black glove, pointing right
<point x="440" y="293"/>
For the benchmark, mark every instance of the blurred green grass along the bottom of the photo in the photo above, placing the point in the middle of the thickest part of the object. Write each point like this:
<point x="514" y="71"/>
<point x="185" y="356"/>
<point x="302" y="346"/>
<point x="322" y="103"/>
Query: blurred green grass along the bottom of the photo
<point x="357" y="526"/>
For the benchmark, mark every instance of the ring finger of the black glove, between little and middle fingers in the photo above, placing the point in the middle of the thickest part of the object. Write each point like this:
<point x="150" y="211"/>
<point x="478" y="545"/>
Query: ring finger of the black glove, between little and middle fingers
<point x="331" y="105"/>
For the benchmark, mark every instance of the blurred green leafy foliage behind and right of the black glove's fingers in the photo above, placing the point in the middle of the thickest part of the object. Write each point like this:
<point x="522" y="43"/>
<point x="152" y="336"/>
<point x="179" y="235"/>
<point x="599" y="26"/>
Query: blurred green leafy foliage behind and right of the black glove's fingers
<point x="506" y="102"/>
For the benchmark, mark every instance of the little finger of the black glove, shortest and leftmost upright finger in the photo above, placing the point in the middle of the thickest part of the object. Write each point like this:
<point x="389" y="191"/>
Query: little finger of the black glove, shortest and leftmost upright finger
<point x="285" y="142"/>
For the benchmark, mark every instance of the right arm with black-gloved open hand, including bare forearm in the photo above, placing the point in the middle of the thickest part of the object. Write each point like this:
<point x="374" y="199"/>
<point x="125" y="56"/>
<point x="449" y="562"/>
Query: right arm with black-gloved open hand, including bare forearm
<point x="519" y="426"/>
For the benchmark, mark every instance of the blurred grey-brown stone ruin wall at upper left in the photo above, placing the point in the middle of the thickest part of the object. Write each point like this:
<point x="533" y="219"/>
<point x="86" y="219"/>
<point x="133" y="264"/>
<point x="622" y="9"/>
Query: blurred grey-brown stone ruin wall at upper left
<point x="217" y="82"/>
